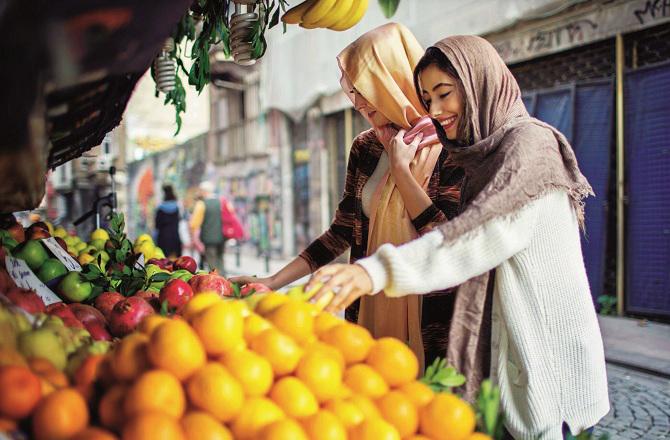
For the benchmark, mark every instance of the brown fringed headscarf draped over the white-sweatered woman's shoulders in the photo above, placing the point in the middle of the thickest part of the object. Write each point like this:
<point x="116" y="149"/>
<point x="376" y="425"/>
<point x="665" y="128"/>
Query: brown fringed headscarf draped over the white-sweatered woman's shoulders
<point x="514" y="160"/>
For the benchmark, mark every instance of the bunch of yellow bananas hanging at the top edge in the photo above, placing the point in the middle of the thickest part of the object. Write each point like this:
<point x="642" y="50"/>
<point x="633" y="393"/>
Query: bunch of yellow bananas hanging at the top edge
<point x="337" y="15"/>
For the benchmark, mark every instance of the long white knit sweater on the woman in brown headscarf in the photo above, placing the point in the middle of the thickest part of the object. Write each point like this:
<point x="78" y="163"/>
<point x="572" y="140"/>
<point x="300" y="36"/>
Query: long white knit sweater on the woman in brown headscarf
<point x="547" y="352"/>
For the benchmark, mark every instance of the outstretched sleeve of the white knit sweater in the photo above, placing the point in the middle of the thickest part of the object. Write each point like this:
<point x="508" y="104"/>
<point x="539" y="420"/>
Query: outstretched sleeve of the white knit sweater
<point x="426" y="264"/>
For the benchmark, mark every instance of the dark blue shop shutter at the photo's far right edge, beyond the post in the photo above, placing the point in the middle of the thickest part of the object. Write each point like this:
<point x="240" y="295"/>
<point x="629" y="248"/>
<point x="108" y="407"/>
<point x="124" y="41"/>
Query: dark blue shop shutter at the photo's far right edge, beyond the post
<point x="647" y="136"/>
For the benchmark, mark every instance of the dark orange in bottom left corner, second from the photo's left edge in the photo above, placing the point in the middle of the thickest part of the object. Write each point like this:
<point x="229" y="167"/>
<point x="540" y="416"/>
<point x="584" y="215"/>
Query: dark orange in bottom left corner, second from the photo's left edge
<point x="60" y="415"/>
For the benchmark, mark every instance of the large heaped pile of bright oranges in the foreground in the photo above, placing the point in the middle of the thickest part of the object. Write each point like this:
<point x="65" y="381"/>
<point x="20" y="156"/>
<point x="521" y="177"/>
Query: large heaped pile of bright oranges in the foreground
<point x="277" y="369"/>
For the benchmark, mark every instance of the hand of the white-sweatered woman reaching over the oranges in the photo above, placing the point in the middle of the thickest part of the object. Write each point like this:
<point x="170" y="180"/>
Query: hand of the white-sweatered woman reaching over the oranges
<point x="348" y="281"/>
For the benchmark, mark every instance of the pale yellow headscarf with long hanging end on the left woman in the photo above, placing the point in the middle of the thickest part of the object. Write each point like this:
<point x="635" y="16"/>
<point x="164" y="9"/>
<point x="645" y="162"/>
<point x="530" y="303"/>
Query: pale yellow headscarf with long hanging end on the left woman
<point x="380" y="65"/>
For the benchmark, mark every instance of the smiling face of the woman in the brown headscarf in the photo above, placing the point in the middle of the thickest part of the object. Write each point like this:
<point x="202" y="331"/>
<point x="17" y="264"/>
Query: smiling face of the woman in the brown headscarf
<point x="442" y="97"/>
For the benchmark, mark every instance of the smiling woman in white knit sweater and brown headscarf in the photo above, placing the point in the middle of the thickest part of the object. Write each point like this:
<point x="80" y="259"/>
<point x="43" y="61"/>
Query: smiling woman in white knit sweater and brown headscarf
<point x="523" y="313"/>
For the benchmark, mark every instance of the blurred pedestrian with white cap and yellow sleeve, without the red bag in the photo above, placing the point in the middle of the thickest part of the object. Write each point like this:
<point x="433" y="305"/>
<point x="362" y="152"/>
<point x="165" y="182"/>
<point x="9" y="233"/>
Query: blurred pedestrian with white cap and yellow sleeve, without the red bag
<point x="207" y="228"/>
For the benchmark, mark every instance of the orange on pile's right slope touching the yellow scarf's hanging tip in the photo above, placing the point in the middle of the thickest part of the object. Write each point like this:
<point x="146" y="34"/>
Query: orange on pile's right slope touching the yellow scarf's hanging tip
<point x="394" y="360"/>
